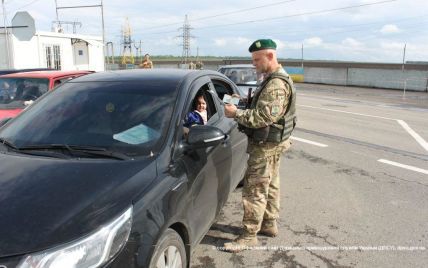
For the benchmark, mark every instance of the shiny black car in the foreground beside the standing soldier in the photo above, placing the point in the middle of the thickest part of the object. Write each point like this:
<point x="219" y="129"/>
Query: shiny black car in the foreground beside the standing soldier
<point x="101" y="172"/>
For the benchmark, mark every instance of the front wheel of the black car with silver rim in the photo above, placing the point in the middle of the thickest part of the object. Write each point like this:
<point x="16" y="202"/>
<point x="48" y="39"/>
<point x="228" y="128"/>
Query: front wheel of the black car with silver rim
<point x="169" y="251"/>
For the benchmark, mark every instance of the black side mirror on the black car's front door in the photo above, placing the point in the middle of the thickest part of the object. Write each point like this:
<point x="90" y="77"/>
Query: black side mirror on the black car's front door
<point x="204" y="136"/>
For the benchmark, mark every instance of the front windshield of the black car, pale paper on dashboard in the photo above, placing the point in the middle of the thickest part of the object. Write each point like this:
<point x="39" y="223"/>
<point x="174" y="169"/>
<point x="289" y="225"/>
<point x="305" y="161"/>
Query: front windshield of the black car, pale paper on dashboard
<point x="132" y="120"/>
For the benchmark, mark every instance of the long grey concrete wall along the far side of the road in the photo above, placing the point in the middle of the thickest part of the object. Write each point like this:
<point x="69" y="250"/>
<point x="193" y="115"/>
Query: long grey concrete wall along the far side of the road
<point x="372" y="75"/>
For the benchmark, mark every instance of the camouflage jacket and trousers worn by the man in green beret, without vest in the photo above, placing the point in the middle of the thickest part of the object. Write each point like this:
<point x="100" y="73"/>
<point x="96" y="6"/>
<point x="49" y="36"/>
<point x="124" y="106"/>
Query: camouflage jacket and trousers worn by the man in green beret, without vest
<point x="260" y="194"/>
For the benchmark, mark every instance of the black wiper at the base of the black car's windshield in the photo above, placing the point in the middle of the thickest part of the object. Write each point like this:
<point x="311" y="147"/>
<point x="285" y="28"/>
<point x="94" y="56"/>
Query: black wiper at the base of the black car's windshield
<point x="73" y="149"/>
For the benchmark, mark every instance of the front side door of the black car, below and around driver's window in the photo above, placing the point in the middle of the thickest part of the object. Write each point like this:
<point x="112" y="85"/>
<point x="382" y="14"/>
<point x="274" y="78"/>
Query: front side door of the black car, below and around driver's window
<point x="205" y="178"/>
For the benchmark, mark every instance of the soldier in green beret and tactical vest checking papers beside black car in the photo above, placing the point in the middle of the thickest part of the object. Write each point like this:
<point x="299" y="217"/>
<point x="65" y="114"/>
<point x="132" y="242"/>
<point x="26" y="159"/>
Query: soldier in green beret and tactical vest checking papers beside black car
<point x="268" y="124"/>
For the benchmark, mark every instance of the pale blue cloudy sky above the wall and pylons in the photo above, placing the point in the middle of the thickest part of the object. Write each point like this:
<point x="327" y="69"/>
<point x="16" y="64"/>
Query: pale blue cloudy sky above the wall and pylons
<point x="343" y="30"/>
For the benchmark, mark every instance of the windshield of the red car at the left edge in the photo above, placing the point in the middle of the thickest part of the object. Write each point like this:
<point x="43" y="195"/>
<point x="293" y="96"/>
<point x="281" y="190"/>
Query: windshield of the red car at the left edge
<point x="14" y="91"/>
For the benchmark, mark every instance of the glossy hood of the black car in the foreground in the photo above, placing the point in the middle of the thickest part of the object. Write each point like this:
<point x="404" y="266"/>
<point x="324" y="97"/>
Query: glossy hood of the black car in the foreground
<point x="45" y="202"/>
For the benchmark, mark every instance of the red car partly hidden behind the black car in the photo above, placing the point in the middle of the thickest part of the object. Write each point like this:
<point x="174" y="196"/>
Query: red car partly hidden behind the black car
<point x="19" y="89"/>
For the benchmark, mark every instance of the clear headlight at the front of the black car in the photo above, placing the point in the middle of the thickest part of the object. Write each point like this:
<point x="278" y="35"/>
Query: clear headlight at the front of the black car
<point x="89" y="252"/>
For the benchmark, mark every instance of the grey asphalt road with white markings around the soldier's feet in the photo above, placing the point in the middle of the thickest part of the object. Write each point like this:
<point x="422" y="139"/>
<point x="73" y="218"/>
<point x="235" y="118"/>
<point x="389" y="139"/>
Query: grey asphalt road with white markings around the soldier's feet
<point x="354" y="186"/>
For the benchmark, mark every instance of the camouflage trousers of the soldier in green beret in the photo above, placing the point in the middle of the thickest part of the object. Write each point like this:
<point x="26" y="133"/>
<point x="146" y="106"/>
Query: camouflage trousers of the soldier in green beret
<point x="260" y="195"/>
